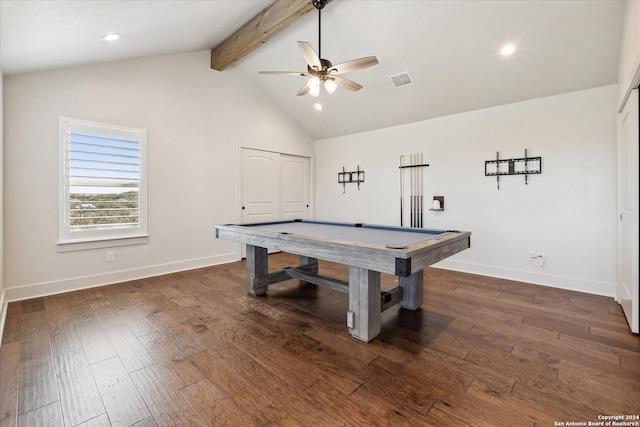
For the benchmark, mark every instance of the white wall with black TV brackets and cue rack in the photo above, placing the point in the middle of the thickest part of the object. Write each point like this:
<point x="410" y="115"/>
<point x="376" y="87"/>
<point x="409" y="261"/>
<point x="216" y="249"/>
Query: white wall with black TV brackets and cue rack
<point x="568" y="212"/>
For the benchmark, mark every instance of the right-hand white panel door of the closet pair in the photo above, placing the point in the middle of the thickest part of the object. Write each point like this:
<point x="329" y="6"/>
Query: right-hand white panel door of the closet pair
<point x="295" y="188"/>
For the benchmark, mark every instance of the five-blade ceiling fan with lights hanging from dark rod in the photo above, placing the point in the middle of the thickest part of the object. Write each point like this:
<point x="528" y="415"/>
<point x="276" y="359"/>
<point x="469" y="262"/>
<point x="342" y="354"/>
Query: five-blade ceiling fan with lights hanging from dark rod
<point x="320" y="70"/>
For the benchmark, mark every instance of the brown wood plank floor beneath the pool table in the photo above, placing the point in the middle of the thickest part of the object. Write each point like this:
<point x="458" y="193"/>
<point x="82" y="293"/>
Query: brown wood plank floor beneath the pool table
<point x="193" y="349"/>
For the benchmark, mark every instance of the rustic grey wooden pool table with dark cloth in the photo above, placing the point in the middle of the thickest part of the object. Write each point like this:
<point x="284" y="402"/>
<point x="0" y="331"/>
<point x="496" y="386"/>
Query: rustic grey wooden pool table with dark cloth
<point x="368" y="250"/>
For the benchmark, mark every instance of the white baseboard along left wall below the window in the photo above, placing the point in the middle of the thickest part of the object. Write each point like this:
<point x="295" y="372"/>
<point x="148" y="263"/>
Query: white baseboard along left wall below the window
<point x="78" y="283"/>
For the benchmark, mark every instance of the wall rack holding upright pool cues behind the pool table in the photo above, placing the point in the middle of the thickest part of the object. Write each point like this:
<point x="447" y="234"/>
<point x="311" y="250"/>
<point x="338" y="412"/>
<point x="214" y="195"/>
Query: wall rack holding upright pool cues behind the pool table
<point x="415" y="169"/>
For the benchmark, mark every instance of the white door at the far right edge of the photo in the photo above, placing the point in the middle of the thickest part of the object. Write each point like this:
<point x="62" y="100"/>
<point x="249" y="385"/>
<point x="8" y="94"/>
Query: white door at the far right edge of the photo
<point x="628" y="139"/>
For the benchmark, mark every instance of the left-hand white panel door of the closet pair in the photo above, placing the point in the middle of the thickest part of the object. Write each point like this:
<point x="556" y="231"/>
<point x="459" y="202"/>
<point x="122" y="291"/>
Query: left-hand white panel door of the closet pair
<point x="260" y="186"/>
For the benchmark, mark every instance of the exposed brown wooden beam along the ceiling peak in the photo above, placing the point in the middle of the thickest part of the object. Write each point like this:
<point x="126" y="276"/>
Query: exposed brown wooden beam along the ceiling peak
<point x="273" y="19"/>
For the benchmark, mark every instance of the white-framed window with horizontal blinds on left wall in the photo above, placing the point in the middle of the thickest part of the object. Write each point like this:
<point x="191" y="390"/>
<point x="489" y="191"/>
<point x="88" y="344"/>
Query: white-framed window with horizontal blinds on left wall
<point x="102" y="182"/>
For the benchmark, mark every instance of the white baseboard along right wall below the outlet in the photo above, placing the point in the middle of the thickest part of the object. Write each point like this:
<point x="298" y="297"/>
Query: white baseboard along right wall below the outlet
<point x="544" y="279"/>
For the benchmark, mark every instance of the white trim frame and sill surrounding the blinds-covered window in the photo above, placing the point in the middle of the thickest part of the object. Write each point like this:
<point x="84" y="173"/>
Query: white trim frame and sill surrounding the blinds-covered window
<point x="78" y="240"/>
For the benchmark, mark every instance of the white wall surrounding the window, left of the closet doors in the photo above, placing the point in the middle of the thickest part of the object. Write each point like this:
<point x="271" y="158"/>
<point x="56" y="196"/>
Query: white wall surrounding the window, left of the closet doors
<point x="197" y="119"/>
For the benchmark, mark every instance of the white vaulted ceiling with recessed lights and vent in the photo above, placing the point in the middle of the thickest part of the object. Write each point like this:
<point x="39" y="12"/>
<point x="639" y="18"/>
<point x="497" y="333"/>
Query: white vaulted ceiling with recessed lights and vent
<point x="450" y="49"/>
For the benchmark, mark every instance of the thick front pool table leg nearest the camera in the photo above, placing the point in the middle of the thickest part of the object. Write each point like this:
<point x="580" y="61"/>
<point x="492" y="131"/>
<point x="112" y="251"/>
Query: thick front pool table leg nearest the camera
<point x="364" y="303"/>
